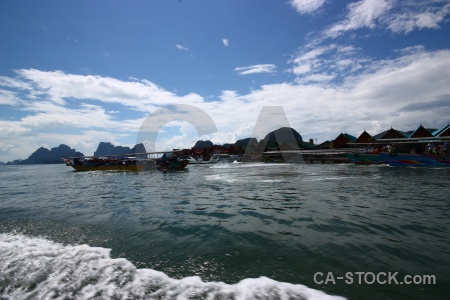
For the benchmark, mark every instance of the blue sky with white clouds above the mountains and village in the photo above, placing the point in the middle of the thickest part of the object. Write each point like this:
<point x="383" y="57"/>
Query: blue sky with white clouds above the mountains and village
<point x="82" y="72"/>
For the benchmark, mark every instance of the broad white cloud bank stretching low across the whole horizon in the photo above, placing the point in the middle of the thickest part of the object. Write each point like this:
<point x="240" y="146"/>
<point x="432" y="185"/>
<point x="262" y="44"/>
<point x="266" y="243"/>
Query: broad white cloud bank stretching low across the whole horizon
<point x="401" y="92"/>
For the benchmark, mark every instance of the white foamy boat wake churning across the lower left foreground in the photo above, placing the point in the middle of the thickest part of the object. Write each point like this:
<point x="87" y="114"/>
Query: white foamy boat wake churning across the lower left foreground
<point x="37" y="268"/>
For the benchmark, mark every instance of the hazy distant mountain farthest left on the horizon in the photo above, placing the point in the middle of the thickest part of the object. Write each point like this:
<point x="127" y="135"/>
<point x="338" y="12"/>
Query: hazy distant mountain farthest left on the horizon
<point x="45" y="156"/>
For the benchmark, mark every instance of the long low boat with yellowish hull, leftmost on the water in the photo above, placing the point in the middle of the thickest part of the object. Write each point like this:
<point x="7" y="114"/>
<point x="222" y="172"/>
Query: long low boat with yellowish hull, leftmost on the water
<point x="127" y="162"/>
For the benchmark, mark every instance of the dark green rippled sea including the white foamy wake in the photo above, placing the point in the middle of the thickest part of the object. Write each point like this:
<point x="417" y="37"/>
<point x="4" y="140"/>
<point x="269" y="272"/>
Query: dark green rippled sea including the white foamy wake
<point x="226" y="231"/>
